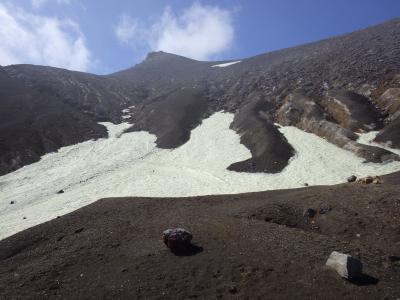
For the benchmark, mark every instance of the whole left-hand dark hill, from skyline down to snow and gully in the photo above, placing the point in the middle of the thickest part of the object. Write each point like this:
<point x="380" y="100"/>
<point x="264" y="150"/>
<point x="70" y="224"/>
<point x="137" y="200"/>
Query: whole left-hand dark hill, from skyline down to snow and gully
<point x="44" y="108"/>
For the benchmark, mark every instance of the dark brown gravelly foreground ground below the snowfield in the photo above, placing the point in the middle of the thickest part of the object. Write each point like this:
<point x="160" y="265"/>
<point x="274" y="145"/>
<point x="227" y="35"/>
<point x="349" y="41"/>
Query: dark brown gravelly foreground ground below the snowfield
<point x="250" y="246"/>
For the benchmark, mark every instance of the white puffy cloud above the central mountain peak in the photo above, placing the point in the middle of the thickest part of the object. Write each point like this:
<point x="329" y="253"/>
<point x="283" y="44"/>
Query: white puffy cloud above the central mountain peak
<point x="200" y="32"/>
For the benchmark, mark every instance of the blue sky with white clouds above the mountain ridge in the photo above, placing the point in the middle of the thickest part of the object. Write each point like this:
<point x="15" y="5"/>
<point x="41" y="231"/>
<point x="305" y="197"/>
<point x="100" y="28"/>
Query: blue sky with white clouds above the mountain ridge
<point x="104" y="36"/>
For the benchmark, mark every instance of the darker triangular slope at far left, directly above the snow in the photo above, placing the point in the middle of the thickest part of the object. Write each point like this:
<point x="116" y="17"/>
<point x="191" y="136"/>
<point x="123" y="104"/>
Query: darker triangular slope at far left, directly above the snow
<point x="33" y="122"/>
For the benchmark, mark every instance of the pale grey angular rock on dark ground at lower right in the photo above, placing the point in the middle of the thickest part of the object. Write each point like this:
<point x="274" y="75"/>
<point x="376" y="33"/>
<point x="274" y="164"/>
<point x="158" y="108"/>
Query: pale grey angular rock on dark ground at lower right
<point x="345" y="265"/>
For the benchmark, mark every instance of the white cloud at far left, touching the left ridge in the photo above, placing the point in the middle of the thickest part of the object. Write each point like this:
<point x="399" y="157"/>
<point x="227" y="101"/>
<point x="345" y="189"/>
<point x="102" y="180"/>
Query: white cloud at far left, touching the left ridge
<point x="35" y="39"/>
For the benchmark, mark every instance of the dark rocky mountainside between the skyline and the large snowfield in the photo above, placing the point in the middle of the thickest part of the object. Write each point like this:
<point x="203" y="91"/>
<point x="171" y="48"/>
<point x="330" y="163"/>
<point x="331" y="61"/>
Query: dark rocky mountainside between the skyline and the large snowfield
<point x="334" y="88"/>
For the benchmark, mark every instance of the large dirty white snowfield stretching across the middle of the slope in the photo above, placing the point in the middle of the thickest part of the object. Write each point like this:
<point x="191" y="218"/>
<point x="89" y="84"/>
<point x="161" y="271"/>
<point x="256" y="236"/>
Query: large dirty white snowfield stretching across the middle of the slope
<point x="129" y="164"/>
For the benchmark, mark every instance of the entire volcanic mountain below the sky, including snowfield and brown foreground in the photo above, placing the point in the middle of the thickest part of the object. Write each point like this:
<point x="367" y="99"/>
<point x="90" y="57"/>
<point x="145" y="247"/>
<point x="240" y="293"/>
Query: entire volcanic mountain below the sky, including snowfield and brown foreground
<point x="259" y="150"/>
